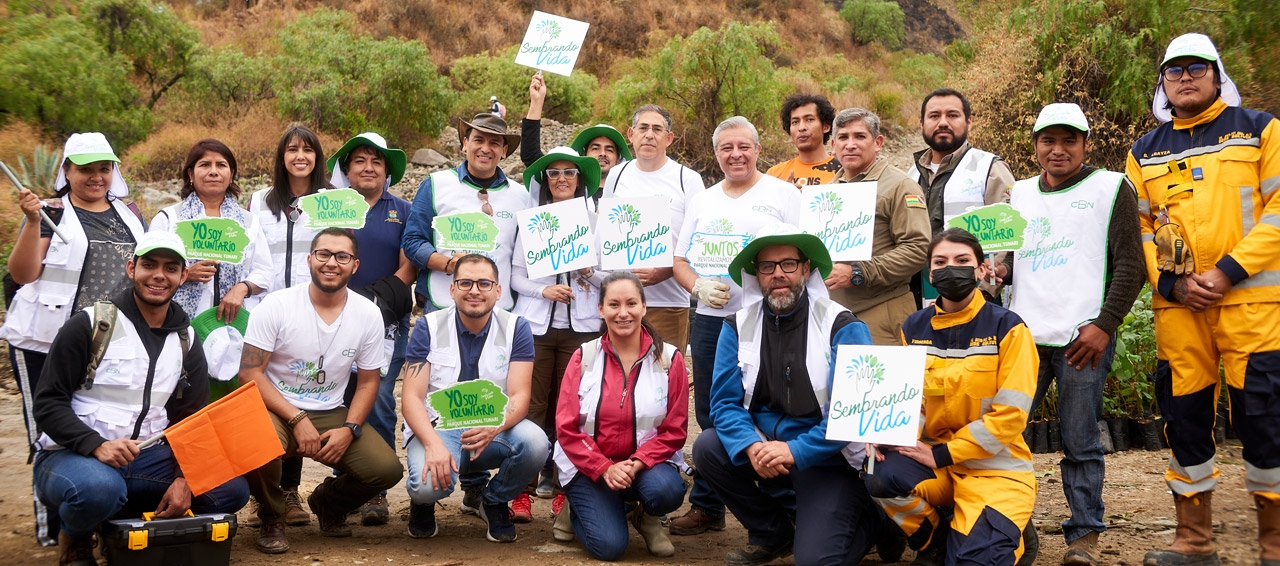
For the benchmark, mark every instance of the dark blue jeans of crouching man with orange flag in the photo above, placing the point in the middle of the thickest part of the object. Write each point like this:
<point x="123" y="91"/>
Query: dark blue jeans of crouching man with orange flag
<point x="88" y="492"/>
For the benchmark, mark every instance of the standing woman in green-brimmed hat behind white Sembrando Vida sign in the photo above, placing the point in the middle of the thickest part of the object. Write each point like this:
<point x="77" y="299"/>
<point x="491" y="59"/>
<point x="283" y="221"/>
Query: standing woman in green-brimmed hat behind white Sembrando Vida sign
<point x="561" y="309"/>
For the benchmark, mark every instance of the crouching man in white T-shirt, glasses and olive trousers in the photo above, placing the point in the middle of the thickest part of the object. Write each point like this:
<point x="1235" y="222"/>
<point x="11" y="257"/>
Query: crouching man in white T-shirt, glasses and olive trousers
<point x="296" y="339"/>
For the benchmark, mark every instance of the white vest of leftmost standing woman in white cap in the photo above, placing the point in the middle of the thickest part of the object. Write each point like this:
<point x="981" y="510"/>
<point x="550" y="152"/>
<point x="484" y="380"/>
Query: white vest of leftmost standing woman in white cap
<point x="42" y="308"/>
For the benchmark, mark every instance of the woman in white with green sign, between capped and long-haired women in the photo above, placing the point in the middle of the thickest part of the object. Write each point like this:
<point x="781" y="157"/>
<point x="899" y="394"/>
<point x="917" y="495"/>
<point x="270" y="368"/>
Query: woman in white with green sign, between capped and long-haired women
<point x="209" y="190"/>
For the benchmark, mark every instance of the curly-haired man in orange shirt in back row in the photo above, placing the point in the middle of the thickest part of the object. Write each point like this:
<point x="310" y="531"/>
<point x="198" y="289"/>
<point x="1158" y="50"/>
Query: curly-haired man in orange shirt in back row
<point x="807" y="120"/>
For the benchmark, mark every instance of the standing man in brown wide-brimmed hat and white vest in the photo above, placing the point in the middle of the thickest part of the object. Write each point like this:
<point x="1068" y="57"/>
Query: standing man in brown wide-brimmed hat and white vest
<point x="476" y="186"/>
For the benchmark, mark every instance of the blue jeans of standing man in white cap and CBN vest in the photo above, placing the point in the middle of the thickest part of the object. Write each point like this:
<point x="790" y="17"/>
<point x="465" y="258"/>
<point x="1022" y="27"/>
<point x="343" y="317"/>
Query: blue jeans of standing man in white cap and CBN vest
<point x="1080" y="407"/>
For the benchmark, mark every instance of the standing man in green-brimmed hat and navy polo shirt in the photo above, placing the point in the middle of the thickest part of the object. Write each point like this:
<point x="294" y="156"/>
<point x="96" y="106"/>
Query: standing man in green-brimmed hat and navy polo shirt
<point x="367" y="165"/>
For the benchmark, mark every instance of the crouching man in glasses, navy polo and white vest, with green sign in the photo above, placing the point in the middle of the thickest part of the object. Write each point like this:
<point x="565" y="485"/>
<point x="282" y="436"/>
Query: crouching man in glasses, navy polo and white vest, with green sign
<point x="468" y="343"/>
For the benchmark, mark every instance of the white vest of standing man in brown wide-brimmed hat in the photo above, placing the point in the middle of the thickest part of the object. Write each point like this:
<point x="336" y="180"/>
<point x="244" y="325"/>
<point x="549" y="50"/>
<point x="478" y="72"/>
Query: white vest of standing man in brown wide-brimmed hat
<point x="451" y="197"/>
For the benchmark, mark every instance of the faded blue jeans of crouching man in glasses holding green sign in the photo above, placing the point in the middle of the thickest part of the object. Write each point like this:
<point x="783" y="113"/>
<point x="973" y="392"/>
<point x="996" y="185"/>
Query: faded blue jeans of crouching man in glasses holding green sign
<point x="518" y="453"/>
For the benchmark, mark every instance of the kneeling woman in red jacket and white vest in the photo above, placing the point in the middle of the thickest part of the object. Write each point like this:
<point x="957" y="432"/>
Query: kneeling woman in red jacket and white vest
<point x="621" y="435"/>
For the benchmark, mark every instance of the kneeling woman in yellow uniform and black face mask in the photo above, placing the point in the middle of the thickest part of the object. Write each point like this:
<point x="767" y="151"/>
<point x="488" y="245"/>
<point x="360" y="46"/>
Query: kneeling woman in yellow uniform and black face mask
<point x="979" y="386"/>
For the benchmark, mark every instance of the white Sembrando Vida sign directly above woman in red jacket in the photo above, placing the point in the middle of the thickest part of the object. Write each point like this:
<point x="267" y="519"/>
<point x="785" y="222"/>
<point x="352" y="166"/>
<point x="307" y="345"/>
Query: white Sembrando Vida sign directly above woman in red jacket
<point x="636" y="234"/>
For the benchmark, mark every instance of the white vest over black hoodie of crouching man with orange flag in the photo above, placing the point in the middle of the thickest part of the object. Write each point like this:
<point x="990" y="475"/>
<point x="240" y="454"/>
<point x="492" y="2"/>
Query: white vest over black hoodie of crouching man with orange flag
<point x="115" y="404"/>
